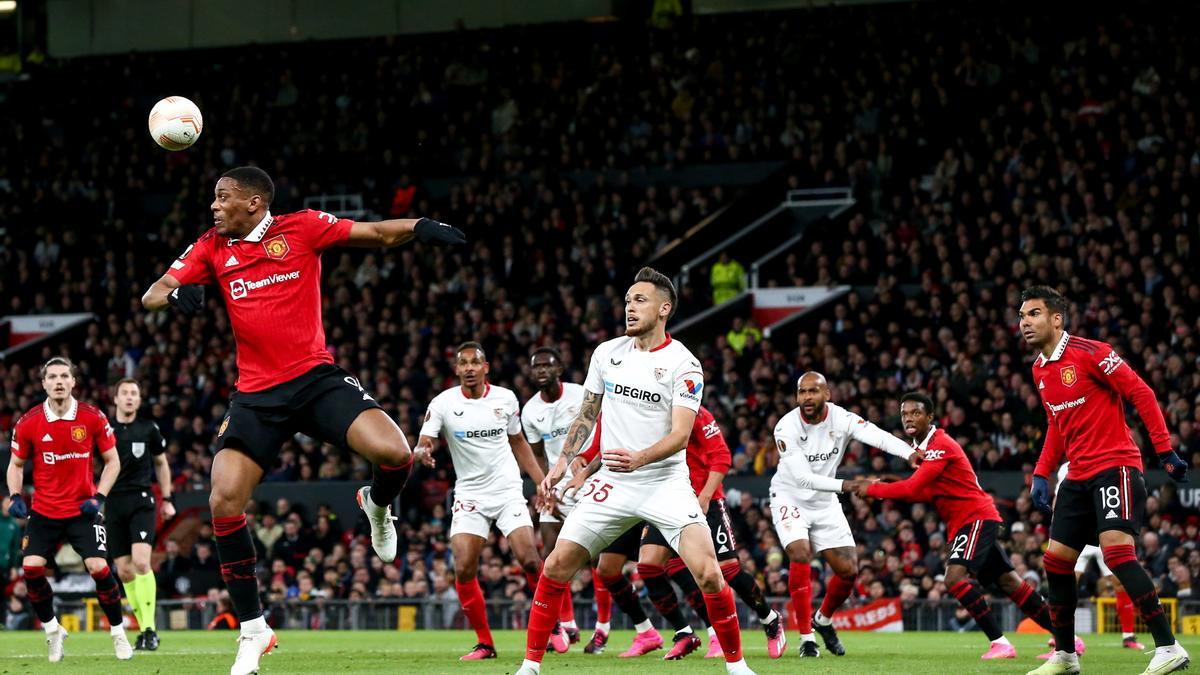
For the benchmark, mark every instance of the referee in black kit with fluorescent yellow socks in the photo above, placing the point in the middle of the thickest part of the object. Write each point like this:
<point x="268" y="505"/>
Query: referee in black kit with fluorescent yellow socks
<point x="130" y="510"/>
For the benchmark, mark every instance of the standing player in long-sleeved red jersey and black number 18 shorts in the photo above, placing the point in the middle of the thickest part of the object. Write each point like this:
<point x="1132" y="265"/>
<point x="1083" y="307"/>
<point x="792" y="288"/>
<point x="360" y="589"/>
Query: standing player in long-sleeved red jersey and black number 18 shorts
<point x="1084" y="386"/>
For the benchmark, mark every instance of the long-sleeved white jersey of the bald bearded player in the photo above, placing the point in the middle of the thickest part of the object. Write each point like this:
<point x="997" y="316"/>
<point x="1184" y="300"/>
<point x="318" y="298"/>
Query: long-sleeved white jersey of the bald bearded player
<point x="809" y="455"/>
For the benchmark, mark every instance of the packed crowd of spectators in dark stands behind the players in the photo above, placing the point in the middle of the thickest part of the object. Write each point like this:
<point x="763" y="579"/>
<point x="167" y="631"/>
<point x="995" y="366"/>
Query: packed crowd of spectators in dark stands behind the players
<point x="1007" y="157"/>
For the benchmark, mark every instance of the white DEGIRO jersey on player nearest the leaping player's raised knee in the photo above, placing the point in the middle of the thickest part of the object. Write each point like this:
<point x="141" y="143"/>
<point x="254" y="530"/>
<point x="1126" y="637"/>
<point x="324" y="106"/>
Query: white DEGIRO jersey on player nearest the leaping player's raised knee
<point x="478" y="434"/>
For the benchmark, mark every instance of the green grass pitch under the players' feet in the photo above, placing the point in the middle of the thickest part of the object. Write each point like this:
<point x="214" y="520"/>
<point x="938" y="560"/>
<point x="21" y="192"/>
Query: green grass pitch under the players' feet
<point x="429" y="653"/>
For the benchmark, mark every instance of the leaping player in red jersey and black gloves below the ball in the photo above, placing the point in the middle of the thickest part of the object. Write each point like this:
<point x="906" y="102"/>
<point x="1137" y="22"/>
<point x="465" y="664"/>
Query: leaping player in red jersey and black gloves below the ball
<point x="268" y="270"/>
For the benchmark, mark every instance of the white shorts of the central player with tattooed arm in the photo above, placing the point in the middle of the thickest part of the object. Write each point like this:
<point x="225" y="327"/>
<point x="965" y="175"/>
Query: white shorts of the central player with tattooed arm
<point x="607" y="511"/>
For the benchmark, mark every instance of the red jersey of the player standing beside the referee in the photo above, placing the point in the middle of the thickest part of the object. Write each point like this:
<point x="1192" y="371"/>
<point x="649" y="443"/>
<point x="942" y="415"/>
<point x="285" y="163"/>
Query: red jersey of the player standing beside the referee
<point x="61" y="449"/>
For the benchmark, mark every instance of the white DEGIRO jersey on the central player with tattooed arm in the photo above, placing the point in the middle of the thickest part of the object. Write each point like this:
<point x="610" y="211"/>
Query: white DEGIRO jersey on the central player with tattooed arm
<point x="640" y="390"/>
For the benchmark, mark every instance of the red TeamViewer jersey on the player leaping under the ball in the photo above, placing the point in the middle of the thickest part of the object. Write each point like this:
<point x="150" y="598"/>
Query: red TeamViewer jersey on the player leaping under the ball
<point x="272" y="285"/>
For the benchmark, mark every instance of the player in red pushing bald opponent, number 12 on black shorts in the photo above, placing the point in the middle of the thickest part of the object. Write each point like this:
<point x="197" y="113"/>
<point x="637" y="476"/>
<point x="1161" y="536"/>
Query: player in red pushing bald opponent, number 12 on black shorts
<point x="976" y="563"/>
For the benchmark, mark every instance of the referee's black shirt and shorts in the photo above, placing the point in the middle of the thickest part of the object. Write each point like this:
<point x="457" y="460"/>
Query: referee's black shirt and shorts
<point x="130" y="510"/>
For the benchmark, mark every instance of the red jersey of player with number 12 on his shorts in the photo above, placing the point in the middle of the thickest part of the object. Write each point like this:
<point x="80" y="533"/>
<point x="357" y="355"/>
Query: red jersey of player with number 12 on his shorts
<point x="945" y="480"/>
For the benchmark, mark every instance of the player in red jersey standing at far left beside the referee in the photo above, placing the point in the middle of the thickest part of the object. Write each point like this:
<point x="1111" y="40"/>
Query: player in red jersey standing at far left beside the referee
<point x="58" y="438"/>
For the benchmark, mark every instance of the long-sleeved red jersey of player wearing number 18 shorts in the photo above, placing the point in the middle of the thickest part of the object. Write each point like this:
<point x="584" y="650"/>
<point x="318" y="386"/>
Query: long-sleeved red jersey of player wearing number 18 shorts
<point x="1083" y="387"/>
